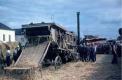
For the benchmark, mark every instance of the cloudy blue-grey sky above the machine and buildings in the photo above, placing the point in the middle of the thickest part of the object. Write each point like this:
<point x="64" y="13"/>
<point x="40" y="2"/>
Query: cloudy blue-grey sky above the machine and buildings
<point x="97" y="17"/>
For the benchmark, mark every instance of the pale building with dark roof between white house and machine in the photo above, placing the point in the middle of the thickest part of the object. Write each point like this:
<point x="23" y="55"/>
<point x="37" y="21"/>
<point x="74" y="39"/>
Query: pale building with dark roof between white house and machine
<point x="20" y="37"/>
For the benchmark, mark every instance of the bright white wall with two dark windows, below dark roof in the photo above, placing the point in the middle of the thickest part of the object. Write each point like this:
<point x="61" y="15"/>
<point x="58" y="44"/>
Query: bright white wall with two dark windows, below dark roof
<point x="7" y="33"/>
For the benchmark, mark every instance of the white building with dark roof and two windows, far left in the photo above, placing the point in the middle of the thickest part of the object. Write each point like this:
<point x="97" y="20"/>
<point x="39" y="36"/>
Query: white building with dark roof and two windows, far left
<point x="6" y="34"/>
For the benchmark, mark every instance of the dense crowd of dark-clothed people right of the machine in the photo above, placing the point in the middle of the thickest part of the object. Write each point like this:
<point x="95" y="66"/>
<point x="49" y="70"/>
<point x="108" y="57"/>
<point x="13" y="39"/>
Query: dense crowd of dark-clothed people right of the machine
<point x="88" y="52"/>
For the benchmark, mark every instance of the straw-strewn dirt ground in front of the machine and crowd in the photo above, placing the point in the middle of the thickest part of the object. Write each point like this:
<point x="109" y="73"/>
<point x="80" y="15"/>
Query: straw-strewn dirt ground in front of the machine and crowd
<point x="102" y="69"/>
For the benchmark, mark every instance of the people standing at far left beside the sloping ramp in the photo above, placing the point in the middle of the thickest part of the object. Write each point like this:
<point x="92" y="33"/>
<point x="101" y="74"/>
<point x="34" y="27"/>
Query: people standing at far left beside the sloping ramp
<point x="9" y="57"/>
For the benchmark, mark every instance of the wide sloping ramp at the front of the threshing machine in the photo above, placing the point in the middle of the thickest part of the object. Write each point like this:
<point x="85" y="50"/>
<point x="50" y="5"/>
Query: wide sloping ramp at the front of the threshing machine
<point x="31" y="56"/>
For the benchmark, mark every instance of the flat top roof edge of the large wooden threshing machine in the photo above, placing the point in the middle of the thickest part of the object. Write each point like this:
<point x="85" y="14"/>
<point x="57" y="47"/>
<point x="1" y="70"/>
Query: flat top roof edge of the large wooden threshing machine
<point x="42" y="25"/>
